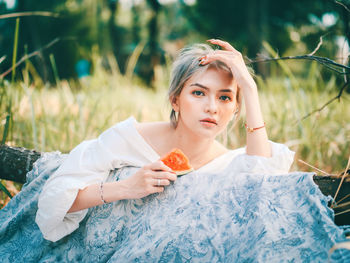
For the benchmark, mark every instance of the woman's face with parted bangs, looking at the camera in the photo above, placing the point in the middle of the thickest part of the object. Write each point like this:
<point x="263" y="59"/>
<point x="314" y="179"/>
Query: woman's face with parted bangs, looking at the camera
<point x="206" y="103"/>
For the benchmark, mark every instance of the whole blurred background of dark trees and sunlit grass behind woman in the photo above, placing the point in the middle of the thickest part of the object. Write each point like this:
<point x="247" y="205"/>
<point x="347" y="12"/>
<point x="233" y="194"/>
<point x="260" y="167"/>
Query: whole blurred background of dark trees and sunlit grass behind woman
<point x="84" y="65"/>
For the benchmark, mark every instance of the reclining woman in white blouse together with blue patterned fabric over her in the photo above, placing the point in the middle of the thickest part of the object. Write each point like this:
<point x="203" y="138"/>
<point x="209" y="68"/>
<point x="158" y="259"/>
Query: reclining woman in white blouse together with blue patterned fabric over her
<point x="231" y="208"/>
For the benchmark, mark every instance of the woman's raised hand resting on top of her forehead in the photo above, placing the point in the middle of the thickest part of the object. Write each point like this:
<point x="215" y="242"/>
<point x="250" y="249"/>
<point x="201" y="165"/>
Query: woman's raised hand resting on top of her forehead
<point x="234" y="60"/>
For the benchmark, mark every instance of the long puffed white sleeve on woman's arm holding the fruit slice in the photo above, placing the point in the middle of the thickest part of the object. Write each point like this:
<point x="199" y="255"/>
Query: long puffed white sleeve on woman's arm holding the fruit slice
<point x="88" y="163"/>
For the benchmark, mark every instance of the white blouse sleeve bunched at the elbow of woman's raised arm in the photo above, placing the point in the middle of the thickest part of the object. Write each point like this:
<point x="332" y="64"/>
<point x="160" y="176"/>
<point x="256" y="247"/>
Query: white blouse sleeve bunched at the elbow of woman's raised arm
<point x="279" y="162"/>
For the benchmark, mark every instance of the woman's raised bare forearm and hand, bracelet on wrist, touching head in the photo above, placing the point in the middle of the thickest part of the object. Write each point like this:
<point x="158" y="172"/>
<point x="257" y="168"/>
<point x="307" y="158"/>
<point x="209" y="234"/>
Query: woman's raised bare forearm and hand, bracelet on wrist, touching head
<point x="257" y="141"/>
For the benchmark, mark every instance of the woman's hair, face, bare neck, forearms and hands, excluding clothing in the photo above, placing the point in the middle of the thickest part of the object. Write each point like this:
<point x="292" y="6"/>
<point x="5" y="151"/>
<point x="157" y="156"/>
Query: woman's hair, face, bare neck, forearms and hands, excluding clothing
<point x="205" y="99"/>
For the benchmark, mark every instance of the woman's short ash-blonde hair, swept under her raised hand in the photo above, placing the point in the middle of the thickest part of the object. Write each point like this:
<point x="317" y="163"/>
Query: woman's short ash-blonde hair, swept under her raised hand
<point x="186" y="65"/>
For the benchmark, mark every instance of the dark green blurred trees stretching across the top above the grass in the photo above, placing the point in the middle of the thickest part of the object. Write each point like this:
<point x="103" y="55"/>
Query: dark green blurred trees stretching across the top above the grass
<point x="246" y="24"/>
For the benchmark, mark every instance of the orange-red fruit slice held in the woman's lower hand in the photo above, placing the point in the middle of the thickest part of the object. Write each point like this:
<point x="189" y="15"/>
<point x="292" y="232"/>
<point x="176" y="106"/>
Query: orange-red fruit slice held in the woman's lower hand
<point x="178" y="162"/>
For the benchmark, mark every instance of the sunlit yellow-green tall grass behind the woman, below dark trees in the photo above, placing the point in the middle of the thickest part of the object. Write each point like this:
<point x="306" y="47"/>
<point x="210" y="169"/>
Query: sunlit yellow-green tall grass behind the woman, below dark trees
<point x="58" y="118"/>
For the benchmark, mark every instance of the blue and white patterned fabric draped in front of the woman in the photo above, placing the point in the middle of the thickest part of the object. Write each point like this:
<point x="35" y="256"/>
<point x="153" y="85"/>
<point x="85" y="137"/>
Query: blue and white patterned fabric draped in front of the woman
<point x="224" y="217"/>
